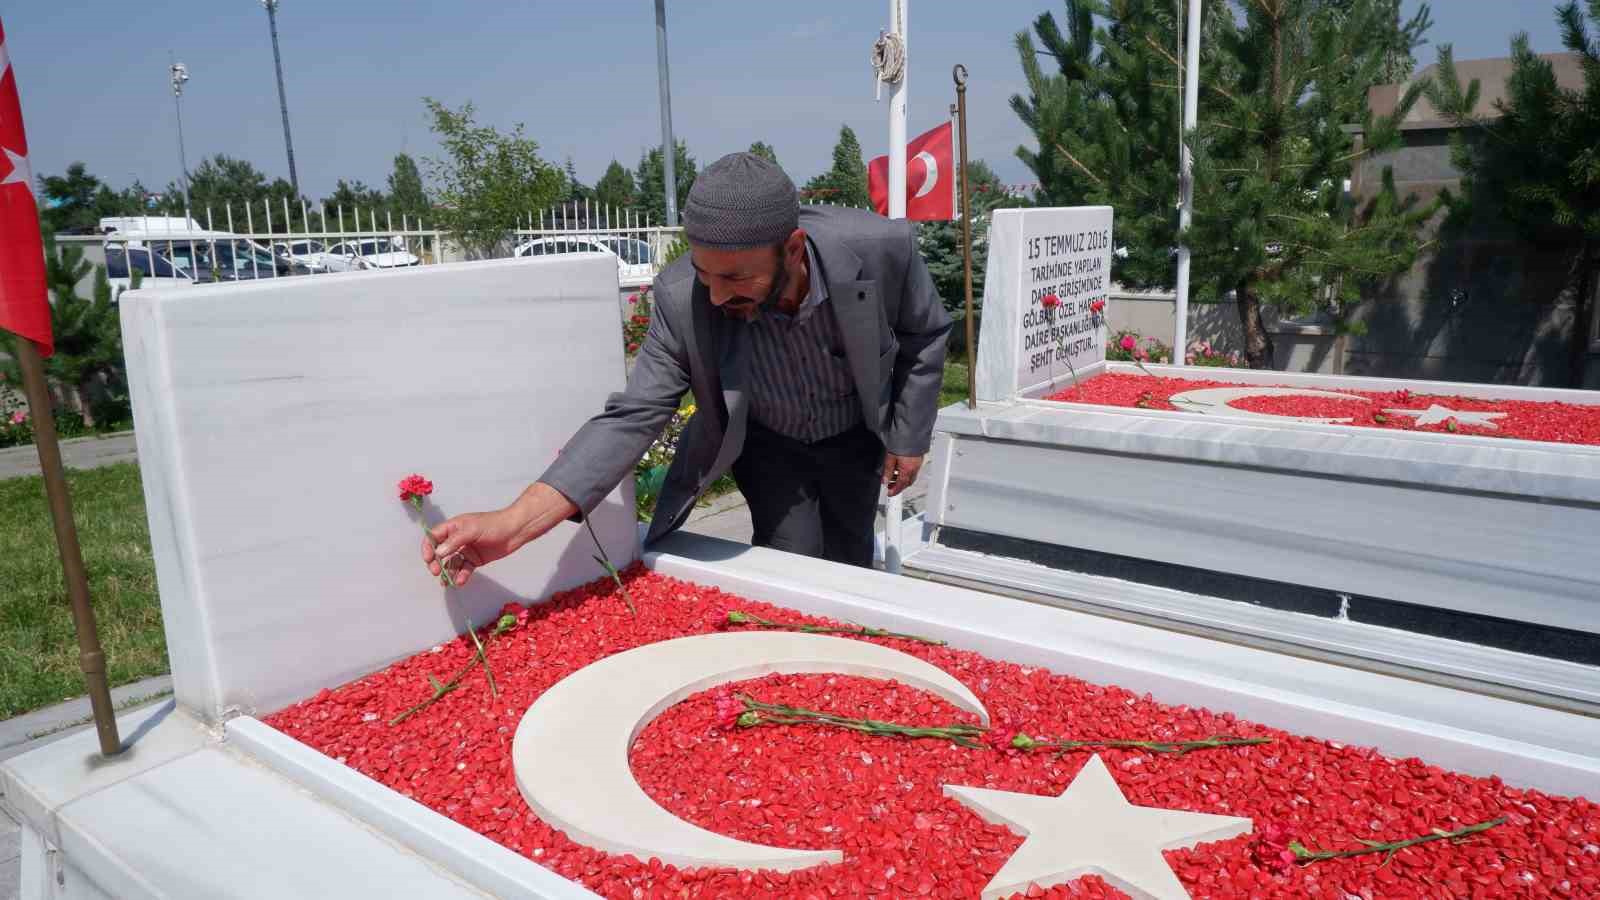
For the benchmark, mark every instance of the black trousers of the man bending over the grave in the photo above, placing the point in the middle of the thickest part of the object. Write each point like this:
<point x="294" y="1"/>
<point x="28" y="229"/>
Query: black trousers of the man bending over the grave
<point x="814" y="499"/>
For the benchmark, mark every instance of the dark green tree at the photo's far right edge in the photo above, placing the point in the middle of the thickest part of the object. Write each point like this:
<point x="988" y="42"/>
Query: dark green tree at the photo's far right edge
<point x="1537" y="164"/>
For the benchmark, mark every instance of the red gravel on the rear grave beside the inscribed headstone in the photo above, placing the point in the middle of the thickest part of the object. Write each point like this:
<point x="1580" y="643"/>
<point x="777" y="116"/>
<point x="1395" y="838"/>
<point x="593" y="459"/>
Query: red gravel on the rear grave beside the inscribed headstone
<point x="1561" y="424"/>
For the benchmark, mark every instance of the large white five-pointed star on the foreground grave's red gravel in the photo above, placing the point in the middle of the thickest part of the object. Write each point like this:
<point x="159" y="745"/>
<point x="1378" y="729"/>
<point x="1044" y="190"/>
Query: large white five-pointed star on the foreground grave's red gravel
<point x="1094" y="830"/>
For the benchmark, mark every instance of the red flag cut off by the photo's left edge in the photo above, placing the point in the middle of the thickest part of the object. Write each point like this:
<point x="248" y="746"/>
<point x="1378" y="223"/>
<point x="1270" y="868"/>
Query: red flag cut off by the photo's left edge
<point x="25" y="308"/>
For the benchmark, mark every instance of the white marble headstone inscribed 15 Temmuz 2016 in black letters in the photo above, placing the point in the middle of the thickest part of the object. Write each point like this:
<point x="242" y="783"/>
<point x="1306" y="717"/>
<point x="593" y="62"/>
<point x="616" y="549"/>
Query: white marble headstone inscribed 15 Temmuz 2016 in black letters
<point x="1033" y="254"/>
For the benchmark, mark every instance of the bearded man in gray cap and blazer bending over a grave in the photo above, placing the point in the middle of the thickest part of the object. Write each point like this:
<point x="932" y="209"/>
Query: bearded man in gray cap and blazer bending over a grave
<point x="814" y="342"/>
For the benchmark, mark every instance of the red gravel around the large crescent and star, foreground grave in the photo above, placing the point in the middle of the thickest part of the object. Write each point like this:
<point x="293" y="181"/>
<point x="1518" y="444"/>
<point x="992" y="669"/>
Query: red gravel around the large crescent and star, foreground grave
<point x="881" y="802"/>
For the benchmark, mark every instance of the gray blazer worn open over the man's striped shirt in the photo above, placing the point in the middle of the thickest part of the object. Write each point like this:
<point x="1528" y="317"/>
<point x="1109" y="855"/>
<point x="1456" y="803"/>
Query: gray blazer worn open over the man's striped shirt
<point x="895" y="331"/>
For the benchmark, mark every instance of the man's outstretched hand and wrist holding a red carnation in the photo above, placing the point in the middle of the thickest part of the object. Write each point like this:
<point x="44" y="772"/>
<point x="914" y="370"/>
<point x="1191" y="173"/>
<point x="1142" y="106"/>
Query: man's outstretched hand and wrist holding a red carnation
<point x="478" y="539"/>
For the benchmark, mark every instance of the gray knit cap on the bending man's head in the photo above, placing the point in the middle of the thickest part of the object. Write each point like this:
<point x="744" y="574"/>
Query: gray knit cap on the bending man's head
<point x="740" y="203"/>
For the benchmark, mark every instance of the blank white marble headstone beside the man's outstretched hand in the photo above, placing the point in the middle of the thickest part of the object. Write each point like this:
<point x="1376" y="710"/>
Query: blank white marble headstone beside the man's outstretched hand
<point x="276" y="419"/>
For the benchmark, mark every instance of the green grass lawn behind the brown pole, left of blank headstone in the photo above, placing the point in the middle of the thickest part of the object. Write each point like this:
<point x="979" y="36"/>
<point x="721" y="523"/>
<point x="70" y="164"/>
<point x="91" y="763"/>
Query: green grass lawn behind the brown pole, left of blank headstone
<point x="39" y="651"/>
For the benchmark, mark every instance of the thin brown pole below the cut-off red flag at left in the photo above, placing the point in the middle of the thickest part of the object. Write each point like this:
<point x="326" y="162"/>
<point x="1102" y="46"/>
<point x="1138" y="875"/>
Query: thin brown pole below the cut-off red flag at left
<point x="90" y="656"/>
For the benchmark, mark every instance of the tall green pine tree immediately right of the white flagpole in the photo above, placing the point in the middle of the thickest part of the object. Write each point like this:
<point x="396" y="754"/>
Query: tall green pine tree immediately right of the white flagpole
<point x="1273" y="222"/>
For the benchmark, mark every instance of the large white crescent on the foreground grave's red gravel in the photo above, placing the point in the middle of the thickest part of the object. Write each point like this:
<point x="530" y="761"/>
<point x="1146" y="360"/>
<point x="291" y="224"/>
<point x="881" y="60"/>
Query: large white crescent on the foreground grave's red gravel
<point x="570" y="753"/>
